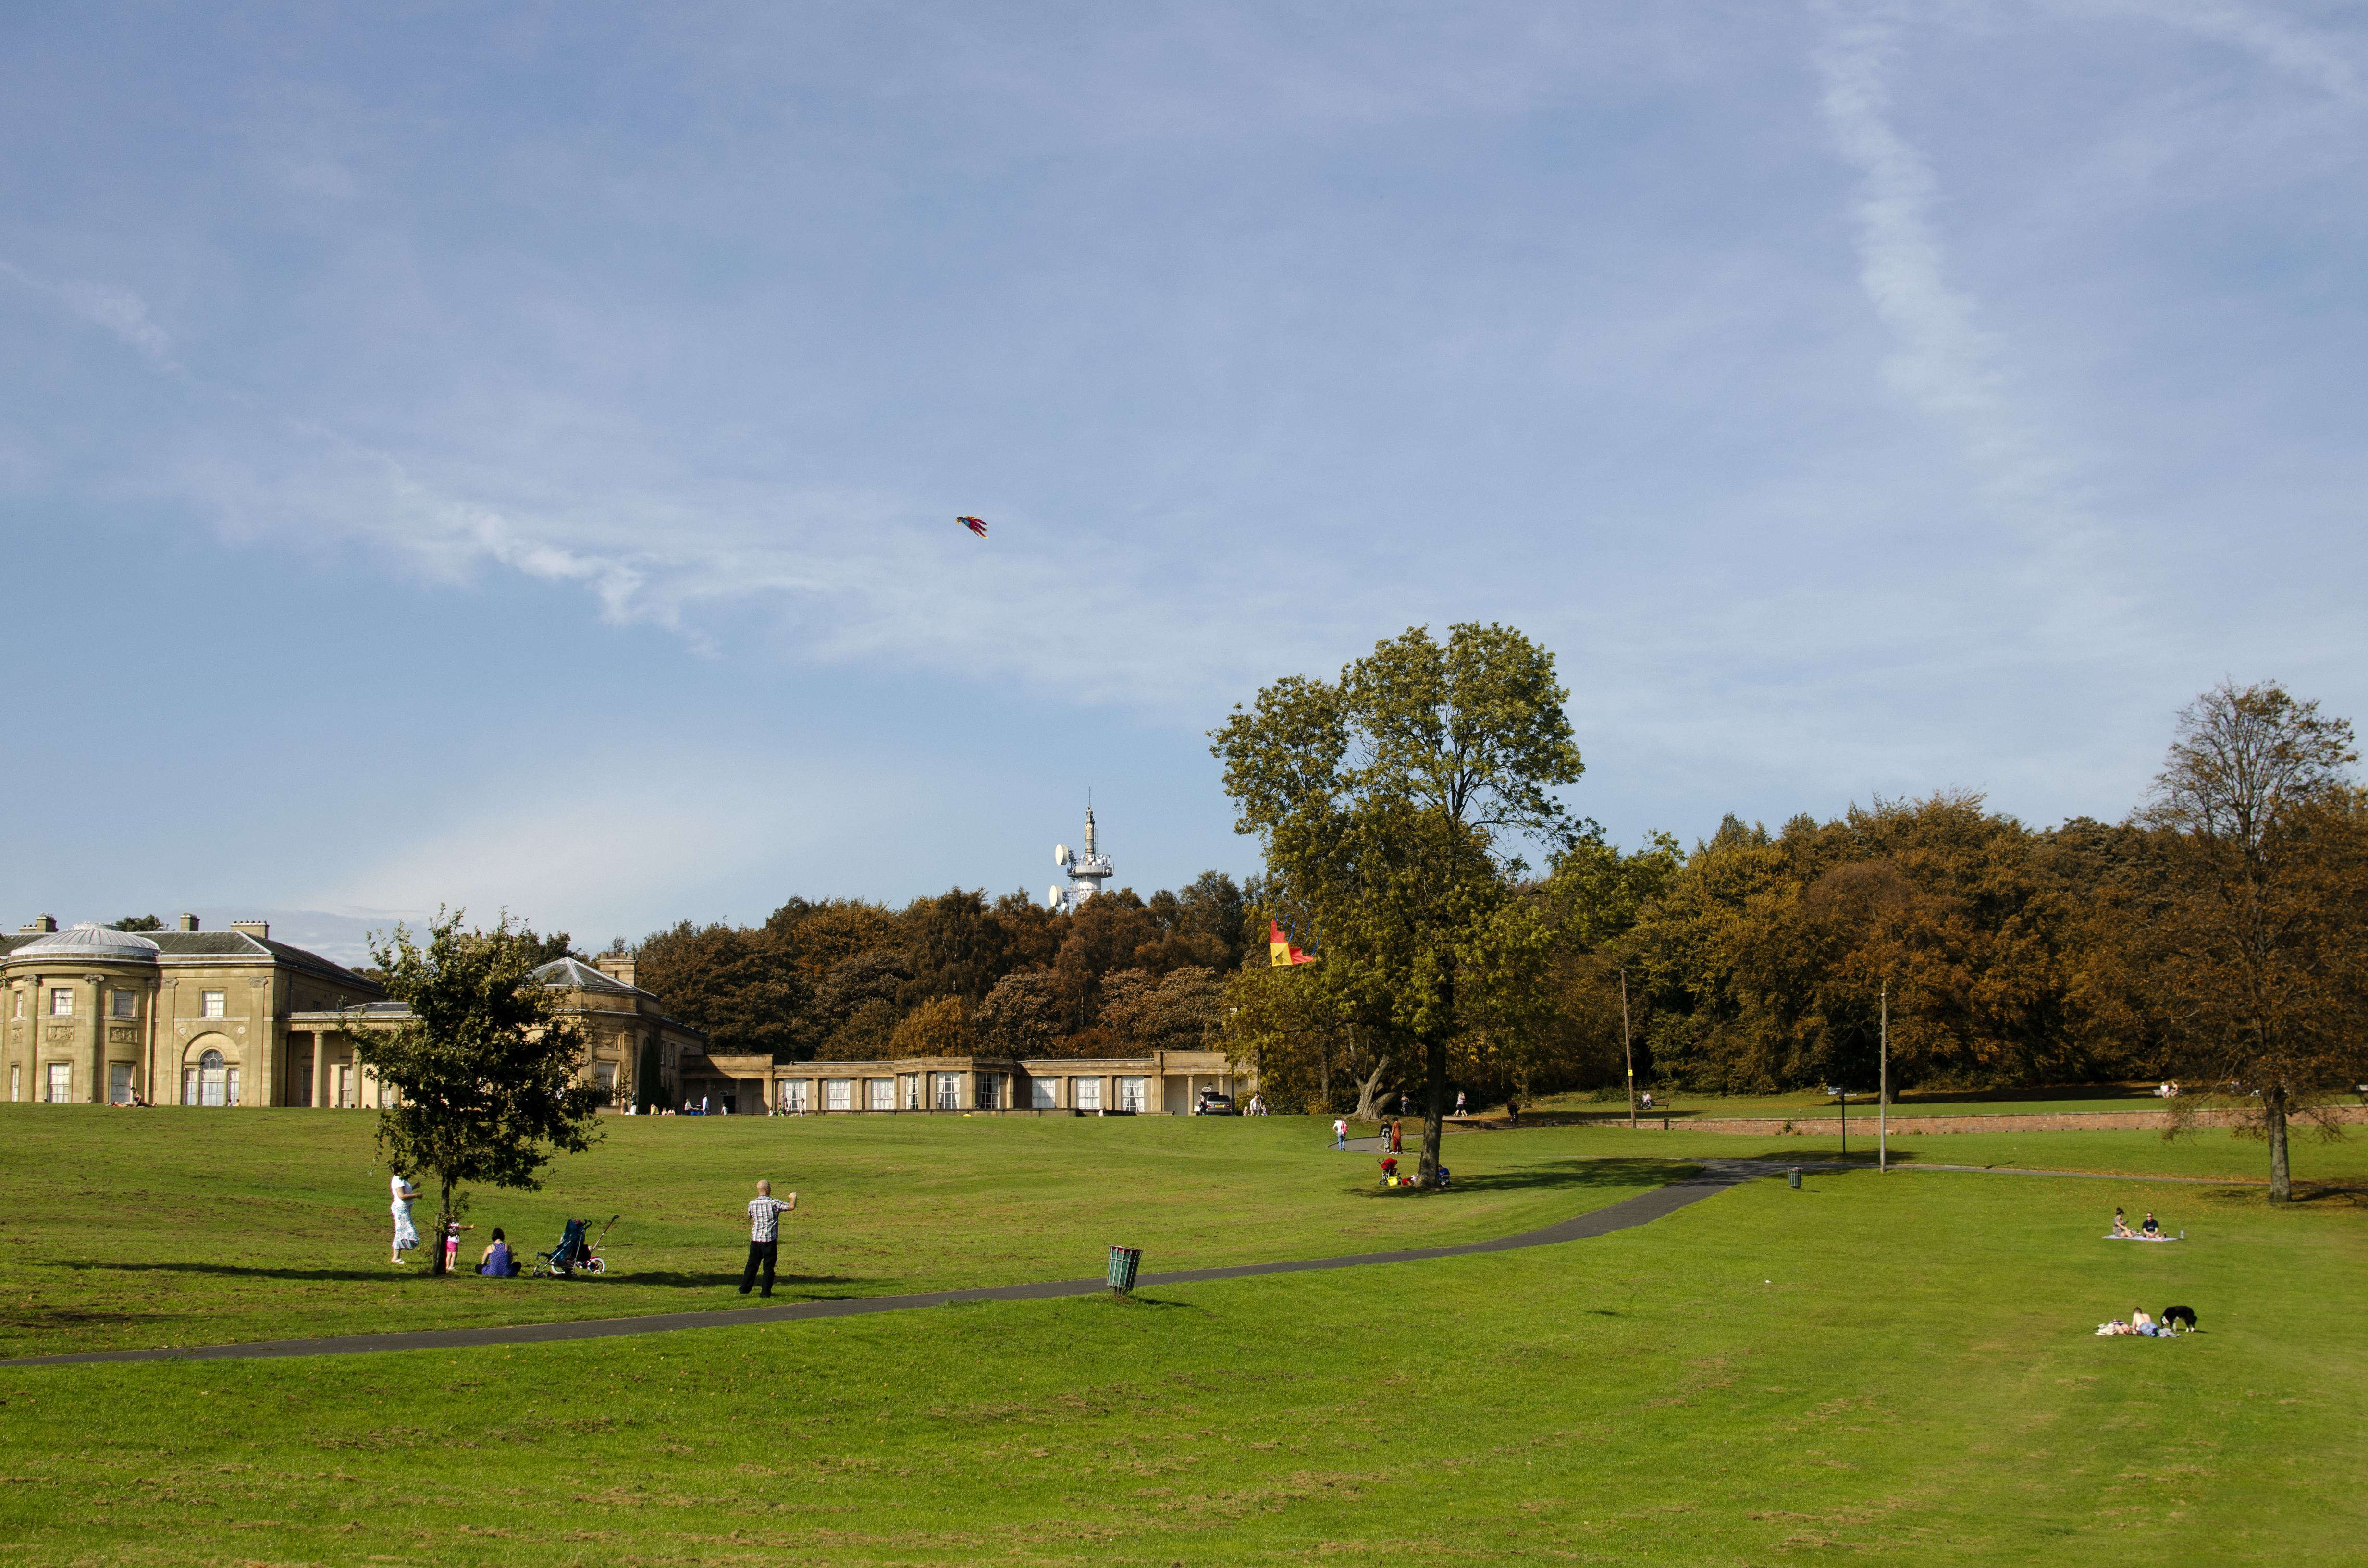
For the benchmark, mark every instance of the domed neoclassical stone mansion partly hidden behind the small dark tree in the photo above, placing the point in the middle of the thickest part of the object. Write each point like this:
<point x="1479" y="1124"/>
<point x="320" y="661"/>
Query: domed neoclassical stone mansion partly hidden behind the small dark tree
<point x="236" y="1020"/>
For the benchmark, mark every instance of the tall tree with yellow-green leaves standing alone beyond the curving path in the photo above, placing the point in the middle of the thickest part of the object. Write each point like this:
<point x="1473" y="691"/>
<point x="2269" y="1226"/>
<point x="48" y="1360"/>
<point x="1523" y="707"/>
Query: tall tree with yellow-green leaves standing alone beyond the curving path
<point x="1394" y="804"/>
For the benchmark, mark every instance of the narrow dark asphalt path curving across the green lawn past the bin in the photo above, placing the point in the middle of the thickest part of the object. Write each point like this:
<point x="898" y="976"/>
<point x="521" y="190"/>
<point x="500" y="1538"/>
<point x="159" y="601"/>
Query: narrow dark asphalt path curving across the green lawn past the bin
<point x="1716" y="1176"/>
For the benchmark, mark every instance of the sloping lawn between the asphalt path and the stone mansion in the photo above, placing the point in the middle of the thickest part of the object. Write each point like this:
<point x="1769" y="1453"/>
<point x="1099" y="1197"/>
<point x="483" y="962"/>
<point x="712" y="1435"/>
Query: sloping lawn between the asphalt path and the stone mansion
<point x="172" y="1228"/>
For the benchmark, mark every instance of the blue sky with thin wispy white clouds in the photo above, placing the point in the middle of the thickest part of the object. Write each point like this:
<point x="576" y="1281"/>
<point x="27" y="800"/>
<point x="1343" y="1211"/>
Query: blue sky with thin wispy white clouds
<point x="510" y="456"/>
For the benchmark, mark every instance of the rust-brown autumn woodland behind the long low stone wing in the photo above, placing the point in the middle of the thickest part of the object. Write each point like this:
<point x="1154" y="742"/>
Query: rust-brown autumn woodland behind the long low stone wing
<point x="951" y="975"/>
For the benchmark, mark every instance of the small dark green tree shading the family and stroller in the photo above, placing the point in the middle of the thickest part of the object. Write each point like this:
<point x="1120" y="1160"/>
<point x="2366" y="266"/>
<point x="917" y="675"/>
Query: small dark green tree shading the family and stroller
<point x="484" y="1067"/>
